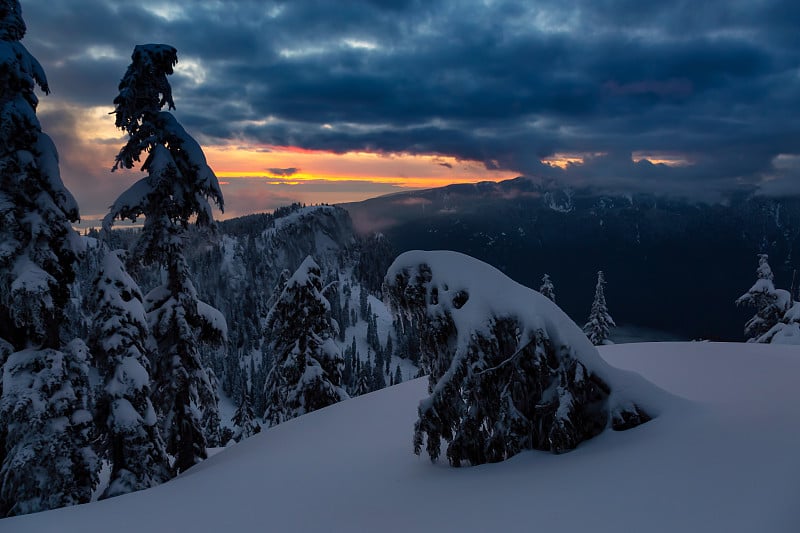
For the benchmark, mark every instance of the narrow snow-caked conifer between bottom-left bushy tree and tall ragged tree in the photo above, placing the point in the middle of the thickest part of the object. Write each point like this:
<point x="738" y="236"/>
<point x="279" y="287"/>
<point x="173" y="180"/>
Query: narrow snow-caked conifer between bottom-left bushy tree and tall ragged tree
<point x="120" y="342"/>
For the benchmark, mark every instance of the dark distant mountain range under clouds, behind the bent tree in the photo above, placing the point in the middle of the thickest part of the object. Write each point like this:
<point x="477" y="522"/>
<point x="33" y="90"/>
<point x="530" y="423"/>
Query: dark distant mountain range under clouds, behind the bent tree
<point x="672" y="265"/>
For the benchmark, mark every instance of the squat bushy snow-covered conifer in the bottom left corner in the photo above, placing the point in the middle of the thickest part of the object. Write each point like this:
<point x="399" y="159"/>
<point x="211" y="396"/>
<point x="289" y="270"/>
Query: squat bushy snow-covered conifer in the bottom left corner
<point x="47" y="413"/>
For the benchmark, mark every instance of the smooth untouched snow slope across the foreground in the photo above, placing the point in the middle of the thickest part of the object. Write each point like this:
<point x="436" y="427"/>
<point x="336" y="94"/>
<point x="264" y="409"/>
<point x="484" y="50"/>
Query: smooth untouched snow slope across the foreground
<point x="724" y="461"/>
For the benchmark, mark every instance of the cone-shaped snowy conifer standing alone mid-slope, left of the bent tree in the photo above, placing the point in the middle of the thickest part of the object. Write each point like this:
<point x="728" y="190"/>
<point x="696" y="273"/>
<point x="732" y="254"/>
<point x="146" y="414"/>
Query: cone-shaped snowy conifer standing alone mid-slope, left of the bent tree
<point x="307" y="371"/>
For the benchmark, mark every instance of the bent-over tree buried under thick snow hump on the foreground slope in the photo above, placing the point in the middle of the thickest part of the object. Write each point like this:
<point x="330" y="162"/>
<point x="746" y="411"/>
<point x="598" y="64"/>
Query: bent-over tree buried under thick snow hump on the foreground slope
<point x="508" y="370"/>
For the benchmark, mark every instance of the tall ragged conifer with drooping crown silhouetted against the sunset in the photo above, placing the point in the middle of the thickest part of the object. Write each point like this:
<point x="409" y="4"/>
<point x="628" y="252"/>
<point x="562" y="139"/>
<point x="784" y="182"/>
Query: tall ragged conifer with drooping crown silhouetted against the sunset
<point x="177" y="188"/>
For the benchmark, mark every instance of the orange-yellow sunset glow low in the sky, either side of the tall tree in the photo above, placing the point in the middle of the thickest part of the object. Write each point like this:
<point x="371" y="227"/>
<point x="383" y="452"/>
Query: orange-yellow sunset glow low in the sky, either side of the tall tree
<point x="257" y="178"/>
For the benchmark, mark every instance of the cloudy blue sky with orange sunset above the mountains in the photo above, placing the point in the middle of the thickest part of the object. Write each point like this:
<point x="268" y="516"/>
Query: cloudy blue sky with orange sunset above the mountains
<point x="333" y="101"/>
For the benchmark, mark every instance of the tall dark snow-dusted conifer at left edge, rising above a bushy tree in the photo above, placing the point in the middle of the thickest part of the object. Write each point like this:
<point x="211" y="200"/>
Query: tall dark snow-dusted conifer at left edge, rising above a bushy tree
<point x="38" y="247"/>
